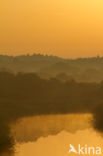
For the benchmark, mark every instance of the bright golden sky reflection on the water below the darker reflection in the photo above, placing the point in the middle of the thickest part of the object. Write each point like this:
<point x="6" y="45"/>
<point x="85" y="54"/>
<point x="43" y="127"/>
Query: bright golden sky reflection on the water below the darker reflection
<point x="59" y="145"/>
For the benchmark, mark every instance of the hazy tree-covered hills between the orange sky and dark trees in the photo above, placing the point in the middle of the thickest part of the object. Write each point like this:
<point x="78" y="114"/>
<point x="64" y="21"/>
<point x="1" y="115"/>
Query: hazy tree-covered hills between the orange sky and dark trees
<point x="81" y="69"/>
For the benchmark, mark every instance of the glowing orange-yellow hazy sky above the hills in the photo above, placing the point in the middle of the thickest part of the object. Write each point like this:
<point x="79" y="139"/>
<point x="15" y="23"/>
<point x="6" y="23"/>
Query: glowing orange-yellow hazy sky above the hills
<point x="67" y="28"/>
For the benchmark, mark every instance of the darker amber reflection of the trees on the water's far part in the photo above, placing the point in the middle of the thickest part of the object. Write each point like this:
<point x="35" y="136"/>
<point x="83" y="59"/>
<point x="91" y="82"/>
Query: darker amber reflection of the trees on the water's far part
<point x="32" y="128"/>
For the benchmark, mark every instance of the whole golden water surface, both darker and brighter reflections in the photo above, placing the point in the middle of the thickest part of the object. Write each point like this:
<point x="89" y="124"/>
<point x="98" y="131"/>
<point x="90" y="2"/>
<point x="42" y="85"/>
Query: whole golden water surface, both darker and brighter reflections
<point x="50" y="135"/>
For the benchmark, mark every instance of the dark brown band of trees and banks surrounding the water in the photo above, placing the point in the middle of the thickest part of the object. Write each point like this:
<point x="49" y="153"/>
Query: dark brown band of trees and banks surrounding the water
<point x="28" y="94"/>
